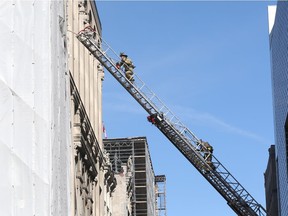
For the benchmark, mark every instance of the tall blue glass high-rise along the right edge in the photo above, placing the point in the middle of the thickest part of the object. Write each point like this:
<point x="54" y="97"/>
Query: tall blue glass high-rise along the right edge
<point x="278" y="30"/>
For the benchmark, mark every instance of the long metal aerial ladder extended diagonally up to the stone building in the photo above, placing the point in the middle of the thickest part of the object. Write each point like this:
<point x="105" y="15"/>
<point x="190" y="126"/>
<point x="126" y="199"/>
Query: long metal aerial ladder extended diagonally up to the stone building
<point x="192" y="148"/>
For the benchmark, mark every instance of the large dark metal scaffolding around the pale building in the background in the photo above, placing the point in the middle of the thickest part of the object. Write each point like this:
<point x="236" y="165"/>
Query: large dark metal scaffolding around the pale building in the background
<point x="141" y="183"/>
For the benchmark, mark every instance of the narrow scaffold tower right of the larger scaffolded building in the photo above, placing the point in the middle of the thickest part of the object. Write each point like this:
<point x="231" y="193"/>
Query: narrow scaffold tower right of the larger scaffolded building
<point x="160" y="183"/>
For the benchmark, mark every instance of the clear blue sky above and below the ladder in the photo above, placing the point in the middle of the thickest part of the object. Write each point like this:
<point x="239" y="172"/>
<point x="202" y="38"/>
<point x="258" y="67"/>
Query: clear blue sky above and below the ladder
<point x="209" y="62"/>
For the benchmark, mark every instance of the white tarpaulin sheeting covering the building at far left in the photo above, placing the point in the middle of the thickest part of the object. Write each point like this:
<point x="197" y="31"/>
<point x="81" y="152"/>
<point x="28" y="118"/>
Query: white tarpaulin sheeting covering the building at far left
<point x="34" y="113"/>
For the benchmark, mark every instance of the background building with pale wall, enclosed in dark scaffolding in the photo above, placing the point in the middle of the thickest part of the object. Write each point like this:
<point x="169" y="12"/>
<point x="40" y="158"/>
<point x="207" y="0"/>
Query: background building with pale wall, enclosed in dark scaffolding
<point x="136" y="188"/>
